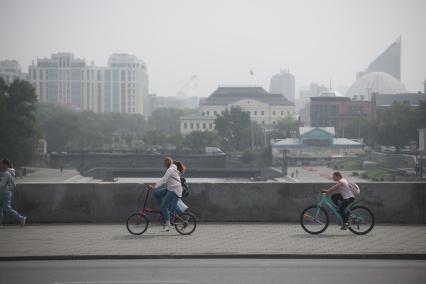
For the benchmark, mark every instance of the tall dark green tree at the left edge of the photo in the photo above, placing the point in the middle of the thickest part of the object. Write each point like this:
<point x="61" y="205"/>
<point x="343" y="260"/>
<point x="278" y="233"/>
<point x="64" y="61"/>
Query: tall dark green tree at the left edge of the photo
<point x="19" y="133"/>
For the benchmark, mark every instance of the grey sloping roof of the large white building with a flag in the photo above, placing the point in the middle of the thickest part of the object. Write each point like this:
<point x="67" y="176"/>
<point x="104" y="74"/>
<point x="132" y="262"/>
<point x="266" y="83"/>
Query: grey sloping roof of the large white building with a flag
<point x="229" y="95"/>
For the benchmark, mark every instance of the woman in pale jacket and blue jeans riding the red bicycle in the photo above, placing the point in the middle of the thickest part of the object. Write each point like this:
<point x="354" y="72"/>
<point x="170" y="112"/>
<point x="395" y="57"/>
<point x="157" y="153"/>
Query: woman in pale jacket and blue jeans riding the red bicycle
<point x="168" y="197"/>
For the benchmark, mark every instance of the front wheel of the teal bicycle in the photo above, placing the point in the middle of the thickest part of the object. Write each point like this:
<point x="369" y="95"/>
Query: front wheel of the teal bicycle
<point x="314" y="219"/>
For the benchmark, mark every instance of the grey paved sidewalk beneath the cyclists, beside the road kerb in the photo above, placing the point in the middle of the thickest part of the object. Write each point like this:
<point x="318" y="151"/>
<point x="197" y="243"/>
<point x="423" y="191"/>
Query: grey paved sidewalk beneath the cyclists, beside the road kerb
<point x="210" y="239"/>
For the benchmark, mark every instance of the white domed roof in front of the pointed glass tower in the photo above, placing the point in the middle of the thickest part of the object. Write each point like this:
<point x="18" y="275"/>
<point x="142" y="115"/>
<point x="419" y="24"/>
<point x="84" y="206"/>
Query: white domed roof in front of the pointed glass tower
<point x="375" y="82"/>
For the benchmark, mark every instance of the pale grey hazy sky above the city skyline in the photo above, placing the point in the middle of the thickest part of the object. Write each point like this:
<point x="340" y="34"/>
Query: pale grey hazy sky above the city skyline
<point x="221" y="40"/>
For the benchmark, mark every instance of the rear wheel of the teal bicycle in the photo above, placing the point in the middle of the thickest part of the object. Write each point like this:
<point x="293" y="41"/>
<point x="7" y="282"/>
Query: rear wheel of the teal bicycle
<point x="361" y="220"/>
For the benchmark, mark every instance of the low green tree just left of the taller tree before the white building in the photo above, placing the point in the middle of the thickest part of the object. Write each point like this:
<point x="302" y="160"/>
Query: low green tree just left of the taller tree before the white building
<point x="197" y="141"/>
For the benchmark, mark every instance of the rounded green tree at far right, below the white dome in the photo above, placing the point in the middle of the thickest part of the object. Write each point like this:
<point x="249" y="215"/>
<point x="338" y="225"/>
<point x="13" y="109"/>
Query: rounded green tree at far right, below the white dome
<point x="396" y="126"/>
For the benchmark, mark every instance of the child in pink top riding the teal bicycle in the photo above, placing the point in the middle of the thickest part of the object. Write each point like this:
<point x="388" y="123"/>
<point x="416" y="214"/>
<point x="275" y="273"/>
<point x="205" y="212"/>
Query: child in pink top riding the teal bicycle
<point x="345" y="197"/>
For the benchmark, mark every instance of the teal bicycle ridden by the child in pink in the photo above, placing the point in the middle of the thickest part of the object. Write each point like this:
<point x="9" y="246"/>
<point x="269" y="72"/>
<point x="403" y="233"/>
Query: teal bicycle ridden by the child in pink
<point x="315" y="218"/>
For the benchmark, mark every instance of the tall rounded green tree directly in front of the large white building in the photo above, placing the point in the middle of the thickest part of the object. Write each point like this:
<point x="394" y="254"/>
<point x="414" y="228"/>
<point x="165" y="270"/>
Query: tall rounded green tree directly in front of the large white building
<point x="235" y="129"/>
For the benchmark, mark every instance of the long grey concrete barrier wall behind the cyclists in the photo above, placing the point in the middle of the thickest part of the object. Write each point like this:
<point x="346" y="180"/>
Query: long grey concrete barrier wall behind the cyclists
<point x="393" y="202"/>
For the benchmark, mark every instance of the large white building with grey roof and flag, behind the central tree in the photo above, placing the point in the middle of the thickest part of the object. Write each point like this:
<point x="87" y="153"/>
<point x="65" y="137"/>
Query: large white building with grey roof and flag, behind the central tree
<point x="266" y="109"/>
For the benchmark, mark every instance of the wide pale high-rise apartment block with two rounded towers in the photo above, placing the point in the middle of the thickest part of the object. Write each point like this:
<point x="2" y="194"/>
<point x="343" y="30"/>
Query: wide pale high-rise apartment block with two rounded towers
<point x="122" y="86"/>
